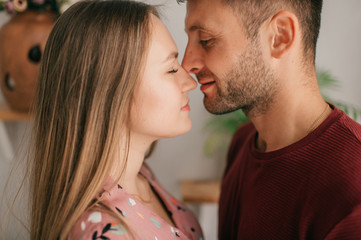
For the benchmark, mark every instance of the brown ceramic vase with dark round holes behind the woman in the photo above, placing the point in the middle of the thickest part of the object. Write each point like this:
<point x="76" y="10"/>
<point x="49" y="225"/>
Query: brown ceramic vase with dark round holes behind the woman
<point x="22" y="42"/>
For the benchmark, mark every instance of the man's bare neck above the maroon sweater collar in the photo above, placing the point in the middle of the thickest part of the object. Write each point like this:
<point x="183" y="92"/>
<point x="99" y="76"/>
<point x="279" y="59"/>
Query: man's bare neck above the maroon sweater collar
<point x="289" y="120"/>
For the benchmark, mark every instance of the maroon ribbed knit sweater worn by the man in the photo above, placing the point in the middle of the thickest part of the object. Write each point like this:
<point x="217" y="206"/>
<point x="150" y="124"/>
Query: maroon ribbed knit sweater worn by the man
<point x="308" y="190"/>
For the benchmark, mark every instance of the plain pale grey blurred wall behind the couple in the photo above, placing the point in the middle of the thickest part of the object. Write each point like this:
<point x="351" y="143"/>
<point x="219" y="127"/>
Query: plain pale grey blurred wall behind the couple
<point x="174" y="160"/>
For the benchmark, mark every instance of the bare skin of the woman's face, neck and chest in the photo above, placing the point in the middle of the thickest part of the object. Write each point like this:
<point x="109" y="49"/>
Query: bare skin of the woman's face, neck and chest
<point x="160" y="110"/>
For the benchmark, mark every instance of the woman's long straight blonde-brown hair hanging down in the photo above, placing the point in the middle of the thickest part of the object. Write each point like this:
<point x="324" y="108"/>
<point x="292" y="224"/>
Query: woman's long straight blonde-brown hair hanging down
<point x="92" y="62"/>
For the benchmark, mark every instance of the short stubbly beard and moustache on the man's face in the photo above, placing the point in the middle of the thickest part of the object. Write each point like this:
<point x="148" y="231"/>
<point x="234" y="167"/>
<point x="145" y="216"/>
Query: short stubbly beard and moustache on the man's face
<point x="249" y="86"/>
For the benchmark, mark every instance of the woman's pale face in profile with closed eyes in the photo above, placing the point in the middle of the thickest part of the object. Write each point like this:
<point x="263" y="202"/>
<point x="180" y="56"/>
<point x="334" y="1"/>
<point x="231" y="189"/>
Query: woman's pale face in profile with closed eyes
<point x="160" y="108"/>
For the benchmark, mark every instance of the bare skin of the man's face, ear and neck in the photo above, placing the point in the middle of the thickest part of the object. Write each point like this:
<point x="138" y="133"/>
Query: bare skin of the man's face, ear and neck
<point x="267" y="76"/>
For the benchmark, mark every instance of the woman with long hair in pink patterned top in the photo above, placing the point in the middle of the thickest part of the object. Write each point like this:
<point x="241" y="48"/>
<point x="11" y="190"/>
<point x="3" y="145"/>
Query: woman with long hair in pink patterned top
<point x="109" y="86"/>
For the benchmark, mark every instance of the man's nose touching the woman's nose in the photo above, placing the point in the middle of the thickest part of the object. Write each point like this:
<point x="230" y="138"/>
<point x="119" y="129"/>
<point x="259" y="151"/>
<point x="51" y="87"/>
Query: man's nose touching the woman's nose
<point x="192" y="60"/>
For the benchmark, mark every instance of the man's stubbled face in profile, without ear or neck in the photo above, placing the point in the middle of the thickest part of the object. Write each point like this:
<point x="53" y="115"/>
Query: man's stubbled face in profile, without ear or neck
<point x="229" y="66"/>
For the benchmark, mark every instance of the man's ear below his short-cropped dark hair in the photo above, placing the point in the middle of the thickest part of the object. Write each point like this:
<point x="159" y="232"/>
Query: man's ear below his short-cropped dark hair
<point x="283" y="29"/>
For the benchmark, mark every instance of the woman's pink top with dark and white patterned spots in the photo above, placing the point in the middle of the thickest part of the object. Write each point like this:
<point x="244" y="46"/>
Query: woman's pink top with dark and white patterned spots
<point x="139" y="221"/>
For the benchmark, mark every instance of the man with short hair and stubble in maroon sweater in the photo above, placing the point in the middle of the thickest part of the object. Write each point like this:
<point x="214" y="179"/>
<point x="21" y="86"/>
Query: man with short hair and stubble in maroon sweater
<point x="293" y="172"/>
